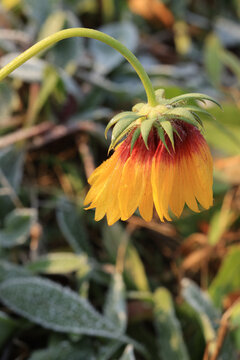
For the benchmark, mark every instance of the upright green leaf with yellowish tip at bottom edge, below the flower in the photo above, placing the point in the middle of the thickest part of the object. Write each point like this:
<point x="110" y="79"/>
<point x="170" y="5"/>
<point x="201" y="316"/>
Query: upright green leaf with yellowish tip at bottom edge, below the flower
<point x="170" y="339"/>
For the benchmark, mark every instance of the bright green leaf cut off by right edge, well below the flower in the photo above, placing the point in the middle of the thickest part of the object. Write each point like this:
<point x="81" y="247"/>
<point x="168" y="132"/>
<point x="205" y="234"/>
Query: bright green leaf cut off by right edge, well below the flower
<point x="227" y="279"/>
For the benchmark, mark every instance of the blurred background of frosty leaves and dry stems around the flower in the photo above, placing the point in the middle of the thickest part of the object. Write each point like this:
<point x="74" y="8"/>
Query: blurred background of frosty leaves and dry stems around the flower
<point x="137" y="290"/>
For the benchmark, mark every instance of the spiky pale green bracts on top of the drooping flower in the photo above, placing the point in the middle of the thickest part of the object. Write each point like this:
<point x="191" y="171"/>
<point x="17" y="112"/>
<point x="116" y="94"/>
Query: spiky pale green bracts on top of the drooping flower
<point x="144" y="117"/>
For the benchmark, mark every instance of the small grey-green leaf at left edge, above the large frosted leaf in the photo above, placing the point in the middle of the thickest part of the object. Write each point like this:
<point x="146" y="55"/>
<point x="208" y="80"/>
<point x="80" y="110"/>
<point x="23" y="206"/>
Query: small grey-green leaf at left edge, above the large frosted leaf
<point x="17" y="227"/>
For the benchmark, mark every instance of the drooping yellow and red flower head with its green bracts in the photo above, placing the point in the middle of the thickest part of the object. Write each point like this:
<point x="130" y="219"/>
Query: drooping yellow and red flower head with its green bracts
<point x="163" y="161"/>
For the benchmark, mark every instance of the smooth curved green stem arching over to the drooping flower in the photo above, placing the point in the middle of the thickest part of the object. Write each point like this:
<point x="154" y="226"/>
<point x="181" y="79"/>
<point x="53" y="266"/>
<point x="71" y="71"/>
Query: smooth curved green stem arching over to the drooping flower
<point x="89" y="33"/>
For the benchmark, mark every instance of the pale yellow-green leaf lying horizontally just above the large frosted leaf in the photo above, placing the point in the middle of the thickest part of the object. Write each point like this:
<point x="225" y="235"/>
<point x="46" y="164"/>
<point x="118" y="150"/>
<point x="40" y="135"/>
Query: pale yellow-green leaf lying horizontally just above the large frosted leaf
<point x="61" y="263"/>
